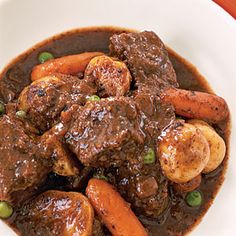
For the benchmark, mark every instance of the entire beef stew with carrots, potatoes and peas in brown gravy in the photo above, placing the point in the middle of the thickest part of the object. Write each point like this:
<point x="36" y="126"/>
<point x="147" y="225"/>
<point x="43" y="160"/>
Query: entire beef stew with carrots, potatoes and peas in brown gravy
<point x="130" y="113"/>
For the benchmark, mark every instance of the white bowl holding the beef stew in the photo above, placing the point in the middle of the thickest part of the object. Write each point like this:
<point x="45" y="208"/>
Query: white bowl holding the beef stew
<point x="199" y="30"/>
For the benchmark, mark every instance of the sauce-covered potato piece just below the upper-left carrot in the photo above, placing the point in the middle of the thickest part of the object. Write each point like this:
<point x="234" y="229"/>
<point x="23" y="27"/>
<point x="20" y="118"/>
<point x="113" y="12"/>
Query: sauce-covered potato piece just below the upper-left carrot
<point x="45" y="99"/>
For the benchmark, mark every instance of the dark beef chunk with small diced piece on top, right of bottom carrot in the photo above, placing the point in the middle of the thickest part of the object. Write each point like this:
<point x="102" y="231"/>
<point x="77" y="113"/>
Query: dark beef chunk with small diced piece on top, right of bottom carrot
<point x="143" y="185"/>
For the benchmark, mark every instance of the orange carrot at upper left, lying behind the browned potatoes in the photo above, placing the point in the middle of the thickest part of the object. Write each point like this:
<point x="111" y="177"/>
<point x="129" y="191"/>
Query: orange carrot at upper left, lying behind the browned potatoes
<point x="69" y="65"/>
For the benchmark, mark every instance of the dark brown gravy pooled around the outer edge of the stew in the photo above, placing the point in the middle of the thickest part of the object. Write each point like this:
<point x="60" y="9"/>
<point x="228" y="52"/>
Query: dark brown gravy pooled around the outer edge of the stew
<point x="178" y="218"/>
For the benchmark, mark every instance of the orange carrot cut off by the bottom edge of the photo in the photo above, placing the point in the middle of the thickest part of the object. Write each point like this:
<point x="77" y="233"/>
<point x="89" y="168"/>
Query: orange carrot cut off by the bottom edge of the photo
<point x="114" y="211"/>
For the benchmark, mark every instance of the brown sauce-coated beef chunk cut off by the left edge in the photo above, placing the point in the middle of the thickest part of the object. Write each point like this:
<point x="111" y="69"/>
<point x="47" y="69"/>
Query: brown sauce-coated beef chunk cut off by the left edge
<point x="23" y="165"/>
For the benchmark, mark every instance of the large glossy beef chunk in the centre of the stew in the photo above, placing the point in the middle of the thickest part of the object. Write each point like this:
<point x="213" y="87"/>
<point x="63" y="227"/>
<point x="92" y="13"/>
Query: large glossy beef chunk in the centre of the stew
<point x="106" y="133"/>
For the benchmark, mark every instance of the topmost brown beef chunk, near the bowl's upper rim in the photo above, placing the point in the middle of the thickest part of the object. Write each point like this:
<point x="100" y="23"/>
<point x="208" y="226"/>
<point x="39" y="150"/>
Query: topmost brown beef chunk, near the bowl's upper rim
<point x="146" y="57"/>
